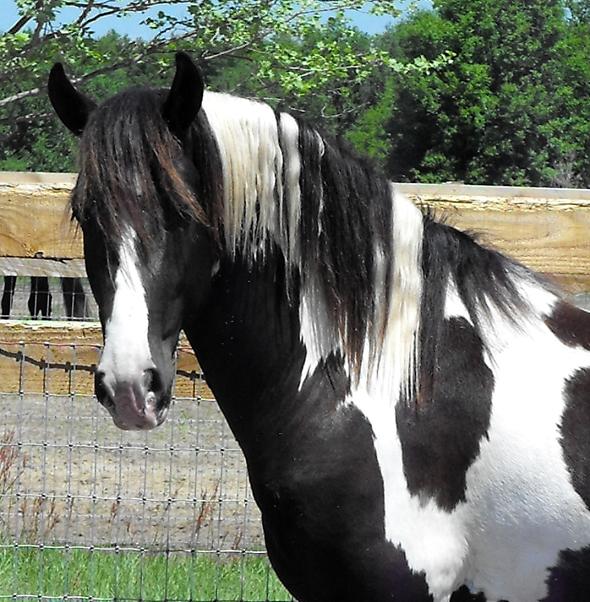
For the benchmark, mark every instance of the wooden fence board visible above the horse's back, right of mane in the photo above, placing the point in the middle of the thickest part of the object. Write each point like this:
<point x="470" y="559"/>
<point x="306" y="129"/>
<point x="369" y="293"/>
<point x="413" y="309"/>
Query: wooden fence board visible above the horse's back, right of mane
<point x="546" y="229"/>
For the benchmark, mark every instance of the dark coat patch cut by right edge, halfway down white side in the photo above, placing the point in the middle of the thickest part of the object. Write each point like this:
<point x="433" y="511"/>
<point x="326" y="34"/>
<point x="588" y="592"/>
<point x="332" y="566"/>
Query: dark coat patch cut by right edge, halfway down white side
<point x="575" y="432"/>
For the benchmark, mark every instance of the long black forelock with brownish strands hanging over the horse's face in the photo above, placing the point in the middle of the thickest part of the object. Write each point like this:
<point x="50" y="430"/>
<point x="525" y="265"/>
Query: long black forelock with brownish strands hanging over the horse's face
<point x="130" y="169"/>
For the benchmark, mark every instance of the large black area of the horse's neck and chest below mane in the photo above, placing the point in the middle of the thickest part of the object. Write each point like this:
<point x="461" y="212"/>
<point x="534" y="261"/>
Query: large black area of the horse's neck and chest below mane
<point x="311" y="460"/>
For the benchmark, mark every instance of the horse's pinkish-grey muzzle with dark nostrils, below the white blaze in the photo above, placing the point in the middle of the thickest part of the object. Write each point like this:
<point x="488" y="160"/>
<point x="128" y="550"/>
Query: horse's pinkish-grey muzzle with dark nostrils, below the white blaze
<point x="133" y="405"/>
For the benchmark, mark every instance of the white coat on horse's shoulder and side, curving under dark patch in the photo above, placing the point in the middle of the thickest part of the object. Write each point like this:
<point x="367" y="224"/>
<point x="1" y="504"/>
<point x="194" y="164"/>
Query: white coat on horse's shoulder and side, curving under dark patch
<point x="521" y="509"/>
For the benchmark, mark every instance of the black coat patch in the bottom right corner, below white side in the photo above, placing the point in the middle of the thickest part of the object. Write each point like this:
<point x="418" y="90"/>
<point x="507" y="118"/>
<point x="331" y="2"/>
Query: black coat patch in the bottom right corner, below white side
<point x="569" y="581"/>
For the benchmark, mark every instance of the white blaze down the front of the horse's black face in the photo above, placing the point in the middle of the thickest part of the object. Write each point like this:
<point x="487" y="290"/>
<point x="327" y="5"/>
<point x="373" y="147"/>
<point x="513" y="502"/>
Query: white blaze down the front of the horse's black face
<point x="126" y="352"/>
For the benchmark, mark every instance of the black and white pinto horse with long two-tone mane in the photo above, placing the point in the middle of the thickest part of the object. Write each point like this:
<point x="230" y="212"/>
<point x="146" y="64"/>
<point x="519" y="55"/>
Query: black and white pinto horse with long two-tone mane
<point x="414" y="408"/>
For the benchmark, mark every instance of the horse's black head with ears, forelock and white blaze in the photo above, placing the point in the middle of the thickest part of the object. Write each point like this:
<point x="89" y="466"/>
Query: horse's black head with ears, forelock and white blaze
<point x="147" y="245"/>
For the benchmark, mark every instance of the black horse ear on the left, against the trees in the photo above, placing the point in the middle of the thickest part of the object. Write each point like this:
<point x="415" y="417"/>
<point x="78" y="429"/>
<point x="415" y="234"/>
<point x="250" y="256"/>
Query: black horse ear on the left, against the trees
<point x="71" y="106"/>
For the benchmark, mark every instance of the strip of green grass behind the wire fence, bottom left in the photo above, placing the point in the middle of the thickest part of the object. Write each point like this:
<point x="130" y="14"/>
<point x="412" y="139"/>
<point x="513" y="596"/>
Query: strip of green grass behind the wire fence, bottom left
<point x="54" y="573"/>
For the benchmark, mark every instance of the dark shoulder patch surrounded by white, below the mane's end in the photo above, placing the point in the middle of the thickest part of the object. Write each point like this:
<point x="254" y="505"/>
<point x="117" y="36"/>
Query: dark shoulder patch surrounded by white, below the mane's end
<point x="440" y="439"/>
